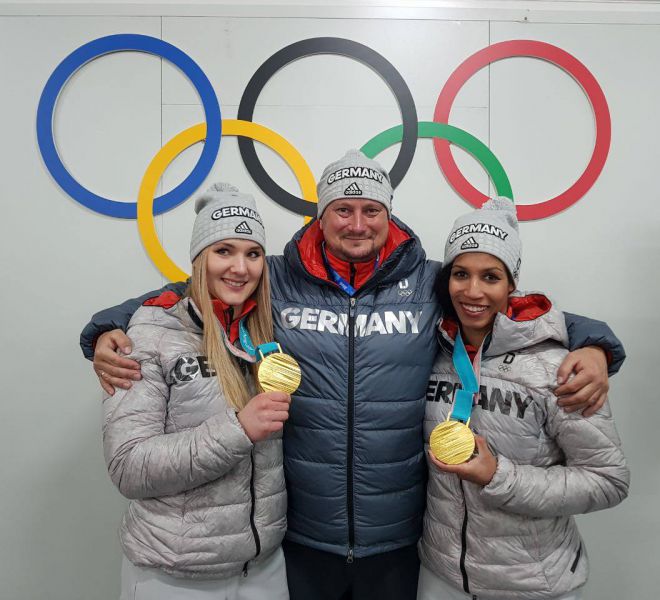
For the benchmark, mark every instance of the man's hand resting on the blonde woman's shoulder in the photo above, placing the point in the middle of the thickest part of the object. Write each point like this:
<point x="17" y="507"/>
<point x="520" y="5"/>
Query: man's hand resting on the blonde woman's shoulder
<point x="112" y="369"/>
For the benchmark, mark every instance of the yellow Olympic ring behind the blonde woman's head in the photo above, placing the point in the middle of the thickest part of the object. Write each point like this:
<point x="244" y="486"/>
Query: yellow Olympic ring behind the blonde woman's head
<point x="182" y="141"/>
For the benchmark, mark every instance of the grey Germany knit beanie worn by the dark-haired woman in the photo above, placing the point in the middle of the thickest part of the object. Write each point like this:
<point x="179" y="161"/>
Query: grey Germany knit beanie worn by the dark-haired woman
<point x="492" y="229"/>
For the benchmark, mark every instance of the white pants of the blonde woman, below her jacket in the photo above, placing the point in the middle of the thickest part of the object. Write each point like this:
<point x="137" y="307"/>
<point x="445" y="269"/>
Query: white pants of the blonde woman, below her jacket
<point x="264" y="580"/>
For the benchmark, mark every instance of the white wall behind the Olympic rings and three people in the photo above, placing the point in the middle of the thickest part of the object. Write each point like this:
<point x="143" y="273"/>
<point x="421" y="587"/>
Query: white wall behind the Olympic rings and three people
<point x="61" y="262"/>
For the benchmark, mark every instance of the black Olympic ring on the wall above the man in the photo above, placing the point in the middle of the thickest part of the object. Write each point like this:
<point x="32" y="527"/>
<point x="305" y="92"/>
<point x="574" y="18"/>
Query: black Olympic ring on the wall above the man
<point x="325" y="45"/>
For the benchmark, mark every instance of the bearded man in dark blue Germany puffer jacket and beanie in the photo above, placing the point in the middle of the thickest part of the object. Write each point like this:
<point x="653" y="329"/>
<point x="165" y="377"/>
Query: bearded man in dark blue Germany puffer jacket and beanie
<point x="353" y="302"/>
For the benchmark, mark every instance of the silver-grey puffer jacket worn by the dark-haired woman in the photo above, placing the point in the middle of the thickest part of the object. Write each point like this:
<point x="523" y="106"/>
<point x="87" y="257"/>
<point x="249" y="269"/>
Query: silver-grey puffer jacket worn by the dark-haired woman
<point x="515" y="538"/>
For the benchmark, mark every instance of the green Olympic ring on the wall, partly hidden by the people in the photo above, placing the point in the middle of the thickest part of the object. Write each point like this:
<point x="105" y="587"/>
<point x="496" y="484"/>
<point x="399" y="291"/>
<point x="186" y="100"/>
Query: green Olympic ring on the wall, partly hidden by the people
<point x="463" y="139"/>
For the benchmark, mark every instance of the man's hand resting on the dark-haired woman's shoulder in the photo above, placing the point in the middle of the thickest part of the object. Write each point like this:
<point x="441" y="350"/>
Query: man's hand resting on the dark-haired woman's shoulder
<point x="587" y="390"/>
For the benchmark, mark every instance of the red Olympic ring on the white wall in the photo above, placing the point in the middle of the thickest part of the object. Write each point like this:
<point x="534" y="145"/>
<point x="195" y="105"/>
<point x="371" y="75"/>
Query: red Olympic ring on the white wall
<point x="577" y="71"/>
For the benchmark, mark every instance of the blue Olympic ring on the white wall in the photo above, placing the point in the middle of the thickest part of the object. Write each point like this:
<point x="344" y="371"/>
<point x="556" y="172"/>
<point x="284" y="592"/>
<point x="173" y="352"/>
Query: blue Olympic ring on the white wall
<point x="117" y="43"/>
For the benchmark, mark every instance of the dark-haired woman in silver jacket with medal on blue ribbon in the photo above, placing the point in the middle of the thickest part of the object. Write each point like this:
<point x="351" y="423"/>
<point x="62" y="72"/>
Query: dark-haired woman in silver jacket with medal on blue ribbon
<point x="500" y="526"/>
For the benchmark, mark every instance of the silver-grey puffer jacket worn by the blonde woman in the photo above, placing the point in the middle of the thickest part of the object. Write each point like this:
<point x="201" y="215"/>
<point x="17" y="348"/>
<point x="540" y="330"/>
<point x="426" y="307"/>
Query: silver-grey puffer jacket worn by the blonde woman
<point x="206" y="501"/>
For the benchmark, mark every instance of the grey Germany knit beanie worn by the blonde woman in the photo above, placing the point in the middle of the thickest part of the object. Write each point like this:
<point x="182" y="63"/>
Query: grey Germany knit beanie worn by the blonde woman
<point x="224" y="213"/>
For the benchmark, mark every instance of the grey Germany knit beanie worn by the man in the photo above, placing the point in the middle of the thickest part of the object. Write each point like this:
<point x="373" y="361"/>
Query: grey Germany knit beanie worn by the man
<point x="354" y="177"/>
